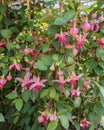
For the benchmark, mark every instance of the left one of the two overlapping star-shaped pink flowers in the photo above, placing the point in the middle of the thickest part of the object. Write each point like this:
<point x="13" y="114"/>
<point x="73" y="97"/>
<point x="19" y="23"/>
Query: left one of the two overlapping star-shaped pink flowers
<point x="26" y="82"/>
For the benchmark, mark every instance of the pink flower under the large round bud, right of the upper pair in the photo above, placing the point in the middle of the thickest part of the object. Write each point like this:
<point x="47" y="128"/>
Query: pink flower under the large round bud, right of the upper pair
<point x="80" y="40"/>
